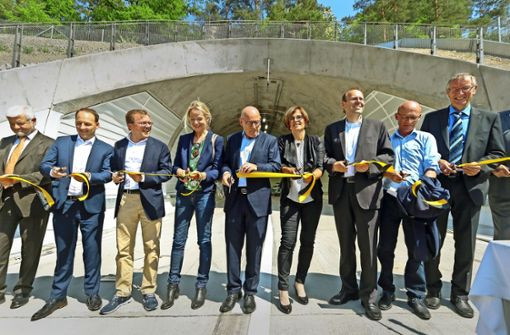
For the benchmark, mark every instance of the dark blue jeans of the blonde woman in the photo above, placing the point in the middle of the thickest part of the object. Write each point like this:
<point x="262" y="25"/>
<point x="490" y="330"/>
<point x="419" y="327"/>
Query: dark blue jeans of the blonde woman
<point x="202" y="205"/>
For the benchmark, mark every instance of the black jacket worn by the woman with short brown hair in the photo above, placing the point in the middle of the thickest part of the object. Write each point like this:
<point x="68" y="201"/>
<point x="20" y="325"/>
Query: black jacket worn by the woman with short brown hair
<point x="313" y="159"/>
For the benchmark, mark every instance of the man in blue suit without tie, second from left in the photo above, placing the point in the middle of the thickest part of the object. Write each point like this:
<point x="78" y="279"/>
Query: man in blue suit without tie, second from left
<point x="85" y="154"/>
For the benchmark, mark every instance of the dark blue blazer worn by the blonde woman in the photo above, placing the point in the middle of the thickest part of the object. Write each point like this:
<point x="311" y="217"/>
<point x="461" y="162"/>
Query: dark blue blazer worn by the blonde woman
<point x="206" y="163"/>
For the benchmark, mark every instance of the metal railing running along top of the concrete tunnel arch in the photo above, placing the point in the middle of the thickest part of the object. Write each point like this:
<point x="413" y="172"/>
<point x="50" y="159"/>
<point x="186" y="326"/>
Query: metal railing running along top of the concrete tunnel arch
<point x="22" y="44"/>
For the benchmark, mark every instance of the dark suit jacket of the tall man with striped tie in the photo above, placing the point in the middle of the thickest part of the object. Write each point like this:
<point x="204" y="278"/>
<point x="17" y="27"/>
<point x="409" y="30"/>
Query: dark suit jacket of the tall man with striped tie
<point x="484" y="141"/>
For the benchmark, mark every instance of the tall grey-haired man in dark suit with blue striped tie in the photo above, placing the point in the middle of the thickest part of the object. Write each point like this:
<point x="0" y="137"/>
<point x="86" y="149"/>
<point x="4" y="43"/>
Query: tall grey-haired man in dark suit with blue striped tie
<point x="463" y="134"/>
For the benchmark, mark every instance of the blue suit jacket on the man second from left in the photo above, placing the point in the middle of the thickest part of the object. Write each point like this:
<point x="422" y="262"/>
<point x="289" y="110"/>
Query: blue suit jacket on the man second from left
<point x="98" y="164"/>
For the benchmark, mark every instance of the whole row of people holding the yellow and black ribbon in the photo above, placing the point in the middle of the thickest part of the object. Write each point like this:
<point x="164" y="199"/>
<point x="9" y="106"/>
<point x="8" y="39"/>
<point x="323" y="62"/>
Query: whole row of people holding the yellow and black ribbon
<point x="75" y="169"/>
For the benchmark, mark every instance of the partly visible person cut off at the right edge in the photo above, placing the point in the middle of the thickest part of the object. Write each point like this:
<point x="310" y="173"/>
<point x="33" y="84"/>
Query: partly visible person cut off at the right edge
<point x="499" y="188"/>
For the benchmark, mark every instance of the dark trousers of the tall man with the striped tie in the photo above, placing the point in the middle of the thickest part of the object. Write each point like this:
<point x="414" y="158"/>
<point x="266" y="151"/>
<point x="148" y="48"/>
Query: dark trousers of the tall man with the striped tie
<point x="465" y="224"/>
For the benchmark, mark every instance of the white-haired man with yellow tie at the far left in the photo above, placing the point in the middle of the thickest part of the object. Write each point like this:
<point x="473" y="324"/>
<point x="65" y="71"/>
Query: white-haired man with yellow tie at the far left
<point x="20" y="154"/>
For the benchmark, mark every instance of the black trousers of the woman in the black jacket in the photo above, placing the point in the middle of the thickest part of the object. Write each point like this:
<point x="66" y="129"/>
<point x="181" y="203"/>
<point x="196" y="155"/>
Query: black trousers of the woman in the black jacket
<point x="291" y="213"/>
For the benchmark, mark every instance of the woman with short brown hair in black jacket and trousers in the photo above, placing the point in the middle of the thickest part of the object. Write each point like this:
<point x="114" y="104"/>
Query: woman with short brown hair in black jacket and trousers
<point x="299" y="153"/>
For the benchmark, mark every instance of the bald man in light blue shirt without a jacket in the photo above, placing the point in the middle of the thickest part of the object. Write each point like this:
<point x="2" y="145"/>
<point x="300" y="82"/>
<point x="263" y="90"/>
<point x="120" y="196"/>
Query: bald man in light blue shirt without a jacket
<point x="415" y="156"/>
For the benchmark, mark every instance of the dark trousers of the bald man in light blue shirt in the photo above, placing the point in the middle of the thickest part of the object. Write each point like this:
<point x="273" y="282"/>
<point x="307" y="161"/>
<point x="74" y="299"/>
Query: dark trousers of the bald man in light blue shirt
<point x="414" y="273"/>
